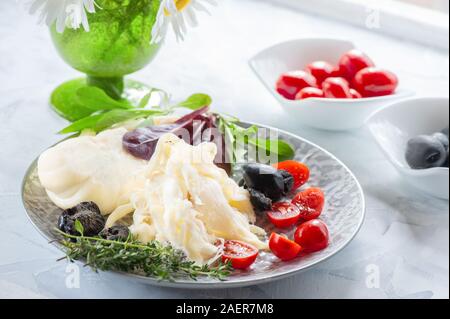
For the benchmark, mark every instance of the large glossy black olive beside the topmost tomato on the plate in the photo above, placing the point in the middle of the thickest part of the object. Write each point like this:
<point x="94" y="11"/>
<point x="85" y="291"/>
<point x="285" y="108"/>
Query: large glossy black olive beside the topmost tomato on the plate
<point x="266" y="179"/>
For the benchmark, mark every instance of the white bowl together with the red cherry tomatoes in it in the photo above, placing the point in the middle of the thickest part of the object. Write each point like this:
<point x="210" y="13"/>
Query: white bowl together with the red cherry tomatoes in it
<point x="326" y="83"/>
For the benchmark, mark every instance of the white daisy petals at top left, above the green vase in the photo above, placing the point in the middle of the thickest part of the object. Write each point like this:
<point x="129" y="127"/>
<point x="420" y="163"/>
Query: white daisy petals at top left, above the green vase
<point x="66" y="13"/>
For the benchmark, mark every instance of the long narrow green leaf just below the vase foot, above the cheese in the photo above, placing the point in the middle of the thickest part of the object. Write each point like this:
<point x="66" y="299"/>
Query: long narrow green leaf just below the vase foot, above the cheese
<point x="103" y="121"/>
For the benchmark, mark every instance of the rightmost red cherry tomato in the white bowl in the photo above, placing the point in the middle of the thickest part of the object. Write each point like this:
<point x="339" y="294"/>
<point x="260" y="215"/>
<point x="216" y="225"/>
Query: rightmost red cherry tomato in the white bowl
<point x="372" y="82"/>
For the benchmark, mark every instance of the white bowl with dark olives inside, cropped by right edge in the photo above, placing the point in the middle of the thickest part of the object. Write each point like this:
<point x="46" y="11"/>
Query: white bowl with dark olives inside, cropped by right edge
<point x="414" y="135"/>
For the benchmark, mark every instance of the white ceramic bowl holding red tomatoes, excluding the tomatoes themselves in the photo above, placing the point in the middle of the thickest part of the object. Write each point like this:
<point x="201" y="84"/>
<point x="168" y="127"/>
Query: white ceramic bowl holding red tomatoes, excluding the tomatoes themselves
<point x="327" y="114"/>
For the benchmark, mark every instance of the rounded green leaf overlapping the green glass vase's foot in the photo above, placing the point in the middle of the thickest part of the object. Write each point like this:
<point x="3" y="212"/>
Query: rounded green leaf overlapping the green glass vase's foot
<point x="97" y="100"/>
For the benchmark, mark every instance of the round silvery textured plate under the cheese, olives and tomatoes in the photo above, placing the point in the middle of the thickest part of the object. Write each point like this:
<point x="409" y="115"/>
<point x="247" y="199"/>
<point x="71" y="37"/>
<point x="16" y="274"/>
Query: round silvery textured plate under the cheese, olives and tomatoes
<point x="344" y="214"/>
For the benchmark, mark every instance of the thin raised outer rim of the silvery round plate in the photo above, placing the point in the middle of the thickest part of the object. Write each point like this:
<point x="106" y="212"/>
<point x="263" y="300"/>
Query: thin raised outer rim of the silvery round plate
<point x="192" y="284"/>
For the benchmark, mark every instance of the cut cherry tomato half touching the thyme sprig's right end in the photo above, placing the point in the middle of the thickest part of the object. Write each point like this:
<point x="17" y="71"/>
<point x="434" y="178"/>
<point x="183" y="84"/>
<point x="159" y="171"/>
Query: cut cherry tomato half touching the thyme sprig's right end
<point x="240" y="254"/>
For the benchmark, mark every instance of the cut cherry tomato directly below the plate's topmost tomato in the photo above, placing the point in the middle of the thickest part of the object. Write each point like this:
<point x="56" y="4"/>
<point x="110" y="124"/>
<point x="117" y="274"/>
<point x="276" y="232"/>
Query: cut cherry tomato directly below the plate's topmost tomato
<point x="310" y="202"/>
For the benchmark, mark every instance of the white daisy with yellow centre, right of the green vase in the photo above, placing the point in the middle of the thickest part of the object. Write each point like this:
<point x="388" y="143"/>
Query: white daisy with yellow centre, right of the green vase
<point x="180" y="14"/>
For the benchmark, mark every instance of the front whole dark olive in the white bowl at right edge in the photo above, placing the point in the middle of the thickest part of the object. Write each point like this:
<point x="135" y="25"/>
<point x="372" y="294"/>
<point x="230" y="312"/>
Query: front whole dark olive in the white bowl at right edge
<point x="425" y="152"/>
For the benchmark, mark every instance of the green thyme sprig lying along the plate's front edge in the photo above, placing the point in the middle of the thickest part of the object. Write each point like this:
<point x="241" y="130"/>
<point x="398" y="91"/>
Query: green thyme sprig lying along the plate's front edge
<point x="153" y="259"/>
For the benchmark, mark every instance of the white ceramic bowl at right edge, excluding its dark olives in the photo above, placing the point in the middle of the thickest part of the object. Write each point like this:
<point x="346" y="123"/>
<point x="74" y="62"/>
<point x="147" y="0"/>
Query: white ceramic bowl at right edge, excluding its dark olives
<point x="393" y="126"/>
